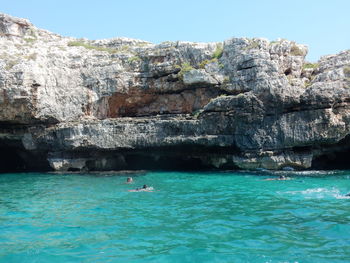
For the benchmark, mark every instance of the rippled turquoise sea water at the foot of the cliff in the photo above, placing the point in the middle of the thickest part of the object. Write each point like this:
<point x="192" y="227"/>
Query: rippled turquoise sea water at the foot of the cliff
<point x="190" y="217"/>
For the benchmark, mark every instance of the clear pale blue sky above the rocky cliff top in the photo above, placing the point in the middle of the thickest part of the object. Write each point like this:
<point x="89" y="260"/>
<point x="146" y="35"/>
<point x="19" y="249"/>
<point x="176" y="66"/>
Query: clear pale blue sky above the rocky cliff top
<point x="323" y="25"/>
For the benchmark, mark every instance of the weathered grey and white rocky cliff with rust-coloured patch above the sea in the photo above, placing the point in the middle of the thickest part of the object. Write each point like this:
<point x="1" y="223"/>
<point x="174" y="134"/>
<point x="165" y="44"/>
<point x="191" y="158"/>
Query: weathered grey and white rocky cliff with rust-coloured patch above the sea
<point x="77" y="104"/>
